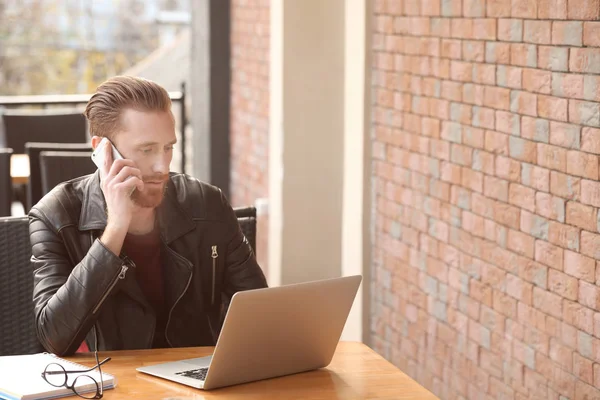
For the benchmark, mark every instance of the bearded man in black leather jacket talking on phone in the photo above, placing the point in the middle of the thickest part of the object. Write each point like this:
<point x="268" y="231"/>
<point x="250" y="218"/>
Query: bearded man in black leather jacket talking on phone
<point x="133" y="256"/>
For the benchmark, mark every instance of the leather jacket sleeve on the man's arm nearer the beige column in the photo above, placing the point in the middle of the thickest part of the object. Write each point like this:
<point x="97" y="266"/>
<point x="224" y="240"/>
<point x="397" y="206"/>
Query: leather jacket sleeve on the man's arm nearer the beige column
<point x="242" y="272"/>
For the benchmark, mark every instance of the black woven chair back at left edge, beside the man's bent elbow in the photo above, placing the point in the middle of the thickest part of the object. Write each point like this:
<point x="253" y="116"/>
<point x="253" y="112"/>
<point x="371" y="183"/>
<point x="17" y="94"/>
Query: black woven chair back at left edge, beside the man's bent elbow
<point x="17" y="329"/>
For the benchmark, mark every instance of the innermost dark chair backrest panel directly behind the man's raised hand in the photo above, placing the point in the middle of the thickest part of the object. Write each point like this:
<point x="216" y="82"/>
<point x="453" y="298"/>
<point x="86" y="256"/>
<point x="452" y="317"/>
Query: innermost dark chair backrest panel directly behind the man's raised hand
<point x="60" y="166"/>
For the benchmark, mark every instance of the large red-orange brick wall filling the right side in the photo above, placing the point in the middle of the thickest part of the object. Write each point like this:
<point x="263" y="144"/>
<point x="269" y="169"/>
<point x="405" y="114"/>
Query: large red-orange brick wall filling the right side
<point x="486" y="195"/>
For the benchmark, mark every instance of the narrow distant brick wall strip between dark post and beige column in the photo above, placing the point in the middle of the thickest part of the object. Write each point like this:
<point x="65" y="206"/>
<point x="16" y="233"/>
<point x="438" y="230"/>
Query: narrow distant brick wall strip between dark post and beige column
<point x="250" y="109"/>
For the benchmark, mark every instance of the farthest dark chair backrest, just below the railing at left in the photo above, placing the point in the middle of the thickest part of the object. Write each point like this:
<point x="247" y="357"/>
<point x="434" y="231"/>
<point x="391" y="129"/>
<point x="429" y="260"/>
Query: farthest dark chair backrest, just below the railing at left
<point x="21" y="127"/>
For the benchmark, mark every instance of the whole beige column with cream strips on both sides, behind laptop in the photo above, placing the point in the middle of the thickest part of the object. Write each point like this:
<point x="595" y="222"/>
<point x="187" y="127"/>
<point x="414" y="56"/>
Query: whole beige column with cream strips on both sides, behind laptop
<point x="318" y="170"/>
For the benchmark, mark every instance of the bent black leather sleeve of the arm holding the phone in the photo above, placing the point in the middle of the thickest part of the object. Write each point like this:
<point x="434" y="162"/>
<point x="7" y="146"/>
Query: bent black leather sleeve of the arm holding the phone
<point x="67" y="297"/>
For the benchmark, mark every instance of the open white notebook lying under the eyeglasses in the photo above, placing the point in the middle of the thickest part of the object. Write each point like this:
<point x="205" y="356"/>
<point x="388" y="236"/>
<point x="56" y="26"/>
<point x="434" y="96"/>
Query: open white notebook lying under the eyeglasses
<point x="21" y="377"/>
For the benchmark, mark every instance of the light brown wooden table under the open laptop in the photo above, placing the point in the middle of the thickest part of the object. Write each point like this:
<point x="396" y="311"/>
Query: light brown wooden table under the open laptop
<point x="356" y="372"/>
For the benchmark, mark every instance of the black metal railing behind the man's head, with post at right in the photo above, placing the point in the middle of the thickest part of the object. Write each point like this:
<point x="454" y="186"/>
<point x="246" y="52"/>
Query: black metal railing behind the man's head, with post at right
<point x="76" y="99"/>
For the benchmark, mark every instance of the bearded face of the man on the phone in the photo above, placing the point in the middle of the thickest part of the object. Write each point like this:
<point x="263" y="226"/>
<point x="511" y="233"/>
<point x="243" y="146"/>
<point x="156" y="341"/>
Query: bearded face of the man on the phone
<point x="147" y="138"/>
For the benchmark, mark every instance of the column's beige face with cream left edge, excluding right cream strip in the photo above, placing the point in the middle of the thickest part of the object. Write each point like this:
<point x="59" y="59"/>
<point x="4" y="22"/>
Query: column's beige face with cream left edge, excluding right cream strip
<point x="306" y="140"/>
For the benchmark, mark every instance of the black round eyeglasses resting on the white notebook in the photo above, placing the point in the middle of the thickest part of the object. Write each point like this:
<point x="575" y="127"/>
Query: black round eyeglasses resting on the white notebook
<point x="83" y="385"/>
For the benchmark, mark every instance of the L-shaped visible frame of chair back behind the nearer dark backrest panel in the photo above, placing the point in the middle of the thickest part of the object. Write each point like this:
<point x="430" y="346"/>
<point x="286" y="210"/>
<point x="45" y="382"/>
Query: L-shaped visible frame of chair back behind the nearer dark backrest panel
<point x="33" y="150"/>
